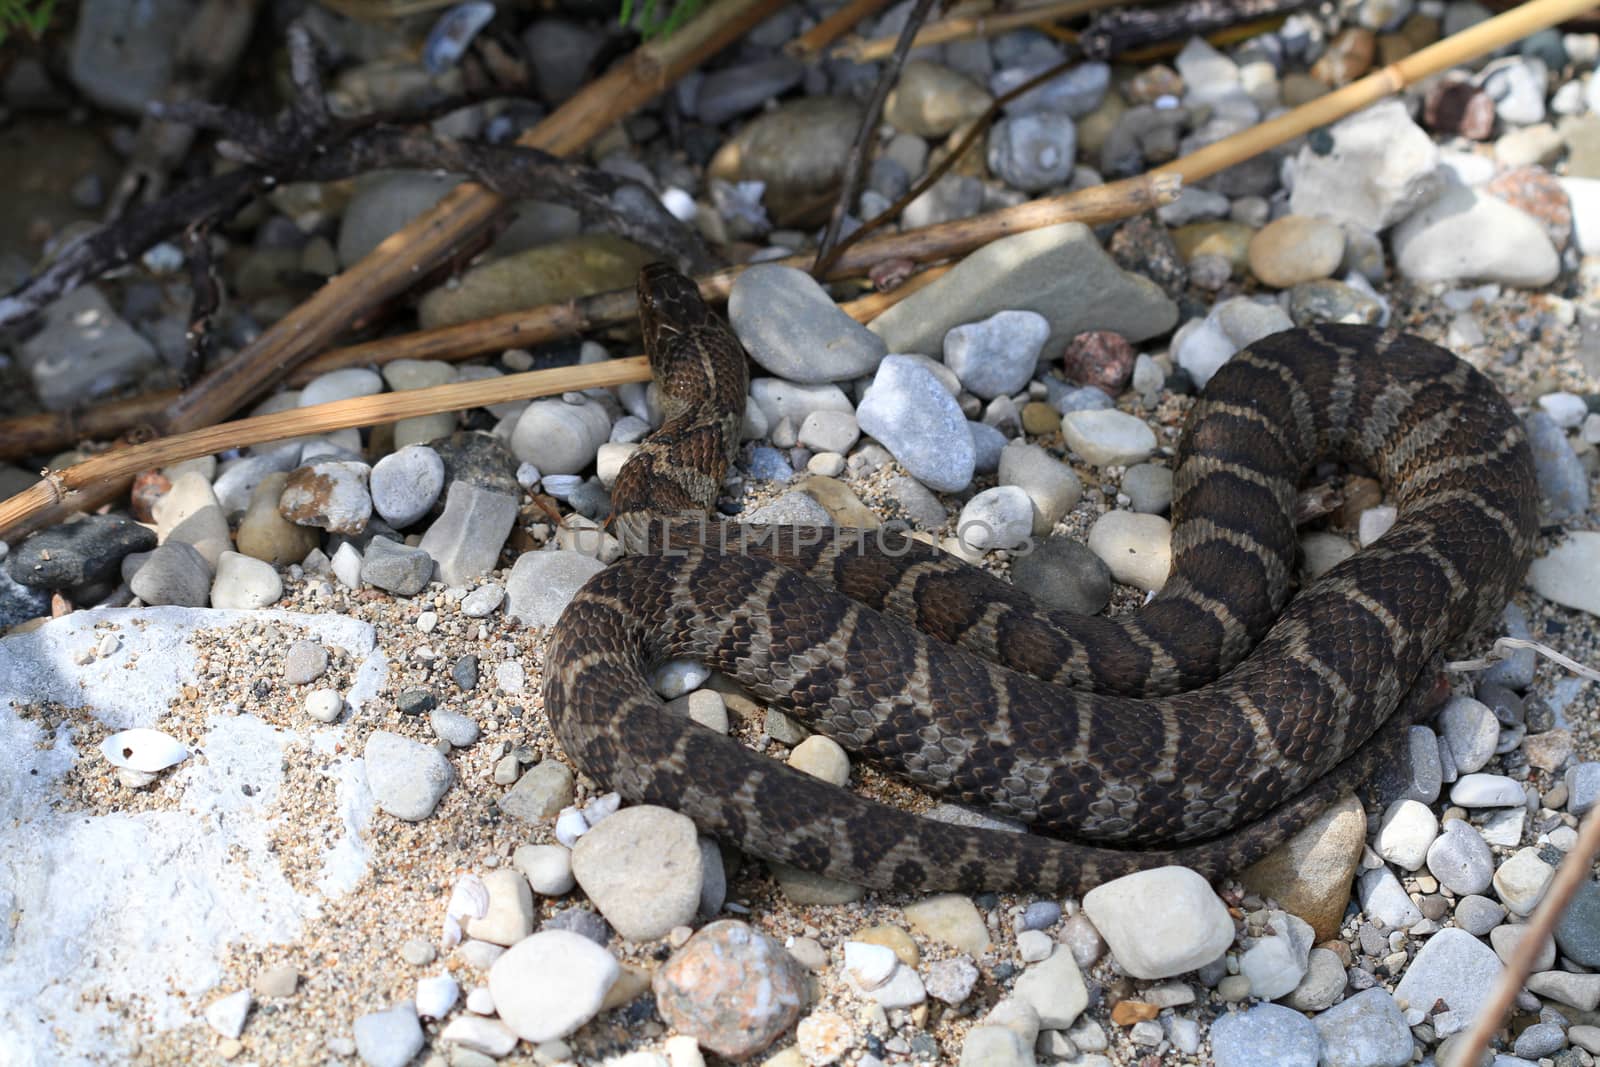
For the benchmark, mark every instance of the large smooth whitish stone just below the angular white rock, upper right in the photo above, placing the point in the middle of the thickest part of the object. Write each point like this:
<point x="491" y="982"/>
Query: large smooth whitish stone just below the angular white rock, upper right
<point x="1465" y="236"/>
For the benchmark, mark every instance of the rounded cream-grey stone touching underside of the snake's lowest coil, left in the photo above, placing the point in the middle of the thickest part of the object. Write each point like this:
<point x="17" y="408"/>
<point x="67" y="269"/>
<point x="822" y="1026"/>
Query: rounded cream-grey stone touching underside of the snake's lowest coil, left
<point x="642" y="869"/>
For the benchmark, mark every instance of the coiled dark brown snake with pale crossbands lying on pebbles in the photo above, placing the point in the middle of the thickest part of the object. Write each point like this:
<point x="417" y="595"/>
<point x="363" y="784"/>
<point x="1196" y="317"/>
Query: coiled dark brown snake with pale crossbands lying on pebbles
<point x="1121" y="743"/>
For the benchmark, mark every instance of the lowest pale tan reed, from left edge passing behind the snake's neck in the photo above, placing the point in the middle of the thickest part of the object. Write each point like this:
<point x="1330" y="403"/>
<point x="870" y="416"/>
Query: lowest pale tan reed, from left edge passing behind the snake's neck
<point x="65" y="489"/>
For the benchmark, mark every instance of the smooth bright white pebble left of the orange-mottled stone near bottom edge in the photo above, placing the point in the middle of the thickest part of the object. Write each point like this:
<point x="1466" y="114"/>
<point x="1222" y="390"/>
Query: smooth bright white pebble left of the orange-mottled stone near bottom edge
<point x="550" y="985"/>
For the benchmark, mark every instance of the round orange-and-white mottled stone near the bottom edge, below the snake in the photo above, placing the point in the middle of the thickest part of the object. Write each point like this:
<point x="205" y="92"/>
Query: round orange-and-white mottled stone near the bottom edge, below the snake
<point x="730" y="988"/>
